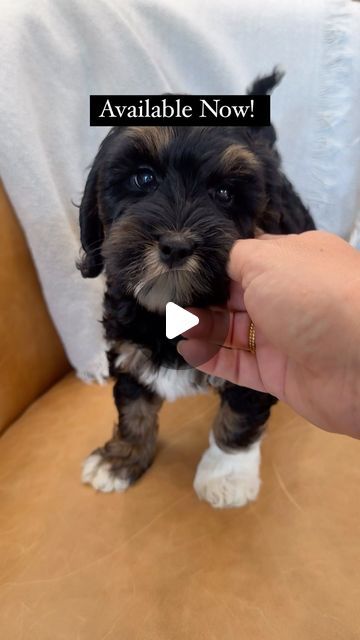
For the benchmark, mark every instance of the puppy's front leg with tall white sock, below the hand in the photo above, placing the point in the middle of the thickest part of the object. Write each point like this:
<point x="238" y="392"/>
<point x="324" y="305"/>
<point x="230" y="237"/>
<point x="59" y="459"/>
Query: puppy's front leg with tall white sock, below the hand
<point x="228" y="473"/>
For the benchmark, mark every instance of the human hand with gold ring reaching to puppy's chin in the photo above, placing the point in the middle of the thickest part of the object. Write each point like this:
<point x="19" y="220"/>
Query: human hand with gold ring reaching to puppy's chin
<point x="303" y="294"/>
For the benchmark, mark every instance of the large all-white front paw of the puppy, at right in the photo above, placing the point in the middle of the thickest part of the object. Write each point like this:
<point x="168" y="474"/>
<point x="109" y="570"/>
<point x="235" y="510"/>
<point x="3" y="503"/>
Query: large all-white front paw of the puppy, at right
<point x="228" y="479"/>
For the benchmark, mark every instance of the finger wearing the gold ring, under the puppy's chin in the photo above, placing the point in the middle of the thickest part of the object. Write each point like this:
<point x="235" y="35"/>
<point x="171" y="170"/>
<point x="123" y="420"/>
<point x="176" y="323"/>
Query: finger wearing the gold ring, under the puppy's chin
<point x="226" y="328"/>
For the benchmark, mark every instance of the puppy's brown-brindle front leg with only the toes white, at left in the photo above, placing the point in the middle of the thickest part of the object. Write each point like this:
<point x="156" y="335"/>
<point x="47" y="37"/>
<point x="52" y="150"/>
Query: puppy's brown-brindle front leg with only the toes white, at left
<point x="131" y="450"/>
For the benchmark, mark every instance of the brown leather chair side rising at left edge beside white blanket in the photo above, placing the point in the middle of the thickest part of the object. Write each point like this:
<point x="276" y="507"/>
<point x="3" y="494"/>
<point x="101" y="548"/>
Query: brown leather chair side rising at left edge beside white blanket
<point x="31" y="354"/>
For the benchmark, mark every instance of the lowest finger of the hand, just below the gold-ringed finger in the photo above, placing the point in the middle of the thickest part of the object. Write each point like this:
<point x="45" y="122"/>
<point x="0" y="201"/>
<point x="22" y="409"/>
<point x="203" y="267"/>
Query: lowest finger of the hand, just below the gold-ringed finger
<point x="239" y="367"/>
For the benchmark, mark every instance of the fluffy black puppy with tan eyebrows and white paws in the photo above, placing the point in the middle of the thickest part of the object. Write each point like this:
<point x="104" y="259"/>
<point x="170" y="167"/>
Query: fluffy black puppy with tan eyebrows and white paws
<point x="161" y="210"/>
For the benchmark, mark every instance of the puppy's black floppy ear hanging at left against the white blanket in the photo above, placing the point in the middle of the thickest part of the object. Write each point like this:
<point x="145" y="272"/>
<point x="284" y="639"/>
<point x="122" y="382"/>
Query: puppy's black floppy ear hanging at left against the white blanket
<point x="91" y="230"/>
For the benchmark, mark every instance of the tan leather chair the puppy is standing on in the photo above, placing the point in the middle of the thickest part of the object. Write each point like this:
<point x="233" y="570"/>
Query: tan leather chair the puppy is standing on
<point x="155" y="563"/>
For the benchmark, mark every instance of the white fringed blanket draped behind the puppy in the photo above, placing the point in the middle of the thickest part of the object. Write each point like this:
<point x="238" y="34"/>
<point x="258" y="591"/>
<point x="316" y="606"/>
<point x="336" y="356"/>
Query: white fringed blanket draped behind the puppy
<point x="55" y="53"/>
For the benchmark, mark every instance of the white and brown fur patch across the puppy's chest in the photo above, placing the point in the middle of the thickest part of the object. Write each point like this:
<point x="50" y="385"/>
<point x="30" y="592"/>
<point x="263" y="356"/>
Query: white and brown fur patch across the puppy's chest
<point x="167" y="382"/>
